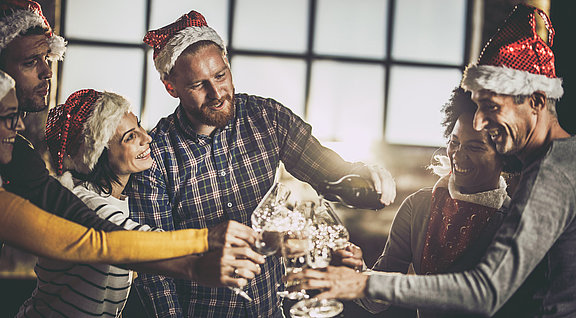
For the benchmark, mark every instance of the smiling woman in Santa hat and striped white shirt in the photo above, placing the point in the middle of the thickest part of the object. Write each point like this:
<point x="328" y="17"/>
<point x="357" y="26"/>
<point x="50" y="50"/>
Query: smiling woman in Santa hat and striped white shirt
<point x="96" y="143"/>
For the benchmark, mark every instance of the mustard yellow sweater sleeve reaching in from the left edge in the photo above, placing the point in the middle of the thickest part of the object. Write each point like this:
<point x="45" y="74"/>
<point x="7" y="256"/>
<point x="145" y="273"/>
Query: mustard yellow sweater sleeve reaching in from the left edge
<point x="24" y="225"/>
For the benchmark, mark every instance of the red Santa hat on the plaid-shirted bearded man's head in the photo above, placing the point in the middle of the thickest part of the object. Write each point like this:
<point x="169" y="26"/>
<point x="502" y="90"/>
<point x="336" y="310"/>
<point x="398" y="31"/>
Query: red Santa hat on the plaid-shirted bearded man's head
<point x="170" y="41"/>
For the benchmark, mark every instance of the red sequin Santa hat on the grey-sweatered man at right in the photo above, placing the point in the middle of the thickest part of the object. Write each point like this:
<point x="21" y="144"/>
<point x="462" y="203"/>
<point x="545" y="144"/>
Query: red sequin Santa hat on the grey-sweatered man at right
<point x="516" y="61"/>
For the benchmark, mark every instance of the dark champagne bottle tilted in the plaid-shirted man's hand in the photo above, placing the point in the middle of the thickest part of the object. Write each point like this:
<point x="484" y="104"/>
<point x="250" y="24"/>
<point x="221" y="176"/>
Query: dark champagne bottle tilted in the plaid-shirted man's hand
<point x="353" y="191"/>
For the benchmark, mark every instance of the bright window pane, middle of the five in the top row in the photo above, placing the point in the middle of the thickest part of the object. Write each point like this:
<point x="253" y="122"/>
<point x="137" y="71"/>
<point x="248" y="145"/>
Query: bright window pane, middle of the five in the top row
<point x="272" y="25"/>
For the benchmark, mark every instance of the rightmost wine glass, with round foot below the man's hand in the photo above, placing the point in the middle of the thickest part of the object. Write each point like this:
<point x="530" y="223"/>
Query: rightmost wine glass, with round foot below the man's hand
<point x="328" y="233"/>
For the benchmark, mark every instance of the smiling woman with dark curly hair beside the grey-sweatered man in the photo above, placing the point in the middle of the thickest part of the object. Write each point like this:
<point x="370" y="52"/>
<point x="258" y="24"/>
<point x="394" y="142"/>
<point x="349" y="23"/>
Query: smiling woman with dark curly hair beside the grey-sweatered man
<point x="447" y="227"/>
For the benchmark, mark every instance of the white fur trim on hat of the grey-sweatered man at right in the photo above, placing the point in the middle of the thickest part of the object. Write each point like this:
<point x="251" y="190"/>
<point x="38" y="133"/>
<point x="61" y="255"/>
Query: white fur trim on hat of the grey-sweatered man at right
<point x="509" y="81"/>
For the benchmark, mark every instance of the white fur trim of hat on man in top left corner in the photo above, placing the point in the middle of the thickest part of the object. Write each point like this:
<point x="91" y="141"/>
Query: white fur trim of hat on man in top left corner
<point x="22" y="20"/>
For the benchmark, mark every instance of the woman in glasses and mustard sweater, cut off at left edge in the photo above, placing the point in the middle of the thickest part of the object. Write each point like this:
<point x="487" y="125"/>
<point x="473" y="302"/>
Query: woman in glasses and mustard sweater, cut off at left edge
<point x="24" y="225"/>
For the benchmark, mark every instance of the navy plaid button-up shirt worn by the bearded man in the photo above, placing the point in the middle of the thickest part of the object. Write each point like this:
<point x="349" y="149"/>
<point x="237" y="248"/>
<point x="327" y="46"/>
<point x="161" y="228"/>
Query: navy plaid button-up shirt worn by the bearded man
<point x="199" y="181"/>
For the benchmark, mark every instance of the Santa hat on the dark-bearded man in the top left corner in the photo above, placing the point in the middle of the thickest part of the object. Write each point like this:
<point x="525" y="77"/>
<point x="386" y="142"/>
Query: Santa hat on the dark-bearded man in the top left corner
<point x="21" y="15"/>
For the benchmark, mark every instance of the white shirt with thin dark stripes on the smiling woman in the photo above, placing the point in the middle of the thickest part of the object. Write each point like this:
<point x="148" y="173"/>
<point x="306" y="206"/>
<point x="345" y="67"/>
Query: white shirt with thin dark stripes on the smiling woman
<point x="83" y="290"/>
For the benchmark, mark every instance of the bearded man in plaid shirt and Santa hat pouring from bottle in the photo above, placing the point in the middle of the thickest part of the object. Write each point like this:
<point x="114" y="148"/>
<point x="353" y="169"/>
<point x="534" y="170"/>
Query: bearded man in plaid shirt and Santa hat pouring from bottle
<point x="216" y="156"/>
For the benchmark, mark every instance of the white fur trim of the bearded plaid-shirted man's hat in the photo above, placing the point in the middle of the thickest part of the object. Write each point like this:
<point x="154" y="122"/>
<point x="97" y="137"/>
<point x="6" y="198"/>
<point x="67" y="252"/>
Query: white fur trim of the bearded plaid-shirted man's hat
<point x="167" y="57"/>
